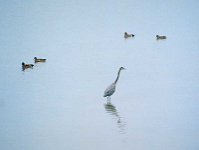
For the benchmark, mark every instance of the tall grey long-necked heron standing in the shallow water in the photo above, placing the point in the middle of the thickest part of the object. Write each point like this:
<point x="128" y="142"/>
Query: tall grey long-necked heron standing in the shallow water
<point x="111" y="89"/>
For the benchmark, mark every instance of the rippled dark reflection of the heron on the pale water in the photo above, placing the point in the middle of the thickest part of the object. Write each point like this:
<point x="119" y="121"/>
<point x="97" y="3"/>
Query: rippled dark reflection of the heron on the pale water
<point x="111" y="109"/>
